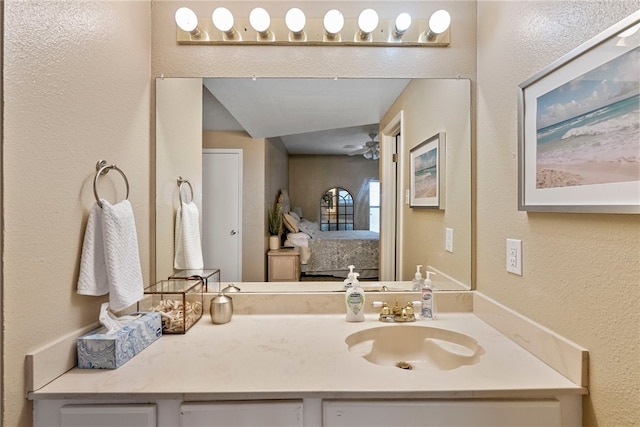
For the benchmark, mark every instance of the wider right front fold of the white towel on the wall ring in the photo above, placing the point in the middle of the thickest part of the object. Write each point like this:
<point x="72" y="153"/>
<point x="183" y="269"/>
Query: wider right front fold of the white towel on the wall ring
<point x="122" y="257"/>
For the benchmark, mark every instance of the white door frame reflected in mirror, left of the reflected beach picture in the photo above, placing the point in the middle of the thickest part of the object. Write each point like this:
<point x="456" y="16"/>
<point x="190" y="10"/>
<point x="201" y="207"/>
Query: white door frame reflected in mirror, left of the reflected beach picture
<point x="391" y="200"/>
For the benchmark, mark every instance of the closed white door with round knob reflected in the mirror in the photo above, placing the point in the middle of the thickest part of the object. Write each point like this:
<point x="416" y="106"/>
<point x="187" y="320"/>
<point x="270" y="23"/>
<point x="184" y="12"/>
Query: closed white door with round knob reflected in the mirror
<point x="222" y="212"/>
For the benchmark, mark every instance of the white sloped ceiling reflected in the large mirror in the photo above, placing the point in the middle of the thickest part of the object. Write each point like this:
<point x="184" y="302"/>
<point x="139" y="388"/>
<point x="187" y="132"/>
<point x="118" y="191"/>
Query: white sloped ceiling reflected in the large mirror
<point x="322" y="116"/>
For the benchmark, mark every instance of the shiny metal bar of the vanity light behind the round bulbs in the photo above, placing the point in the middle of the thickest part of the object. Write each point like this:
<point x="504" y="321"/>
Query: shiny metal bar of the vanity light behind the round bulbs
<point x="385" y="34"/>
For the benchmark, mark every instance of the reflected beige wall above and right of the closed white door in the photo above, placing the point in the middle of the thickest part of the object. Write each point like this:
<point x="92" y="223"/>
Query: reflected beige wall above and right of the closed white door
<point x="253" y="199"/>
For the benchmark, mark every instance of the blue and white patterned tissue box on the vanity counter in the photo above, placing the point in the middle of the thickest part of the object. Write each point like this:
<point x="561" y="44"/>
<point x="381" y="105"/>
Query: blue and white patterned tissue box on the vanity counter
<point x="99" y="350"/>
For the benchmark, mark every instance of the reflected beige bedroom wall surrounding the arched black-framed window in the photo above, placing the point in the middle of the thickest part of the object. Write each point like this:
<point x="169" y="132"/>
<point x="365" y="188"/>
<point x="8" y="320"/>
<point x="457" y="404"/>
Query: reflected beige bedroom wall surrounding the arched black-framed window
<point x="311" y="176"/>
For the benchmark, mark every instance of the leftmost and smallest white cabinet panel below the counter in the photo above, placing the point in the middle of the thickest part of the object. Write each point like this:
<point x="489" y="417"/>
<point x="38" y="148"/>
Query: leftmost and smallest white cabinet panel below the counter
<point x="129" y="415"/>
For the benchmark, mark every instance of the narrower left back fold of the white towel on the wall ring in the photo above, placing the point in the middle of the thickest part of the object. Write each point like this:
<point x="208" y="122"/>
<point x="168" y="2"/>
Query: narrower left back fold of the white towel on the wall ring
<point x="93" y="270"/>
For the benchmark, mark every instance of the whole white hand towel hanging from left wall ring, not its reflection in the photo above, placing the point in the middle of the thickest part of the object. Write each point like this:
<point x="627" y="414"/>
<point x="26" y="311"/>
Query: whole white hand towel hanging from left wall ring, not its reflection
<point x="110" y="261"/>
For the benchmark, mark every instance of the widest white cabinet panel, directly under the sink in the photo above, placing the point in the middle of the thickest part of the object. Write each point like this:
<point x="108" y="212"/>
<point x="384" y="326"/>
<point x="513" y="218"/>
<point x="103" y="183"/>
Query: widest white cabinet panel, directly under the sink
<point x="454" y="413"/>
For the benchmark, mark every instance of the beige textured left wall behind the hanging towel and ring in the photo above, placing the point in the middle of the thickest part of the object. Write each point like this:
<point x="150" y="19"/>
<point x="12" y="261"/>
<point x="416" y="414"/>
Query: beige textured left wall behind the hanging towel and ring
<point x="76" y="90"/>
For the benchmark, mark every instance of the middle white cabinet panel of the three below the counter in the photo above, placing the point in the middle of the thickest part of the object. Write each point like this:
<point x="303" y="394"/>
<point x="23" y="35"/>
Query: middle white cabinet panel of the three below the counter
<point x="242" y="414"/>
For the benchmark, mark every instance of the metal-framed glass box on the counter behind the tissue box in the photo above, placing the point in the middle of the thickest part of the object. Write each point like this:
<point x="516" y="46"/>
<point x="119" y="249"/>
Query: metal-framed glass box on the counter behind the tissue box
<point x="178" y="301"/>
